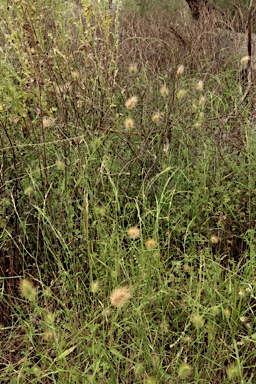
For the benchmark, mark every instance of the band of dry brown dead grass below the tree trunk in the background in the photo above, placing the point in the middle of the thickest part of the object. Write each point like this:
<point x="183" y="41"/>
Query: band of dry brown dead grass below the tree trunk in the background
<point x="160" y="41"/>
